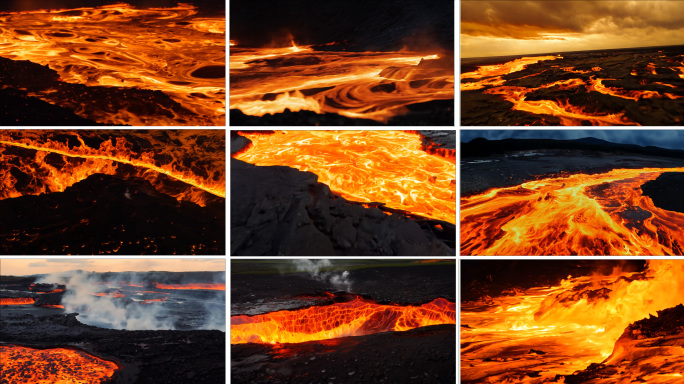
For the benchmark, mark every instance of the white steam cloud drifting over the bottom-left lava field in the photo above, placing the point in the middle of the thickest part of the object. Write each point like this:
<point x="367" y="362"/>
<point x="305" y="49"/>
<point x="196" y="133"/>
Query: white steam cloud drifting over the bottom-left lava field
<point x="111" y="312"/>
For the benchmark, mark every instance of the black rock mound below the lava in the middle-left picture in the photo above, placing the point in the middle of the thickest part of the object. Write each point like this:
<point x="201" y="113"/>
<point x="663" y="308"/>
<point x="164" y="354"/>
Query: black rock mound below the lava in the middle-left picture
<point x="107" y="214"/>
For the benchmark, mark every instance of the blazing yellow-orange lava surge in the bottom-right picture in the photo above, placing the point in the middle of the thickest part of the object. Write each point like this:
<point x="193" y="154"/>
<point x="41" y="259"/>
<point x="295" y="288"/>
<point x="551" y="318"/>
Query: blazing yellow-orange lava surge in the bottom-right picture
<point x="530" y="336"/>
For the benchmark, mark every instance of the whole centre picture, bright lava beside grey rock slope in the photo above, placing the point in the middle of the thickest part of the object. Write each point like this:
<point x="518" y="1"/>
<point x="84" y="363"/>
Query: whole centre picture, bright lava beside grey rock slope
<point x="318" y="193"/>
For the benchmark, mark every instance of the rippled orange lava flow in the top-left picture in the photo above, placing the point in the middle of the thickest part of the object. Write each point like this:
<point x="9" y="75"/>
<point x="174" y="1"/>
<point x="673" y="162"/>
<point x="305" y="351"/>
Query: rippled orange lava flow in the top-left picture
<point x="166" y="49"/>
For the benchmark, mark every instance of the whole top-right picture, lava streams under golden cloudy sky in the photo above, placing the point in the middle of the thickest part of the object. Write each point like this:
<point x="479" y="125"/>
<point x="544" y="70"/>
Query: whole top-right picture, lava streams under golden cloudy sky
<point x="572" y="63"/>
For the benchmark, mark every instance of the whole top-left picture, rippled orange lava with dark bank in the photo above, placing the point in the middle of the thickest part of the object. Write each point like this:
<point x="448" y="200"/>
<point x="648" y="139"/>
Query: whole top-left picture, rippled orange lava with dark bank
<point x="108" y="62"/>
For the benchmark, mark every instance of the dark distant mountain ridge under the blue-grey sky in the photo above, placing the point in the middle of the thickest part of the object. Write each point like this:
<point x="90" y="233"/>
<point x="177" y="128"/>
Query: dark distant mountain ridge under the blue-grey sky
<point x="481" y="147"/>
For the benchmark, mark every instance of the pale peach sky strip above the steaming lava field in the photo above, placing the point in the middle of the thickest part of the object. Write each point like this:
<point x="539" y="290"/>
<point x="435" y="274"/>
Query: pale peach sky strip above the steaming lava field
<point x="24" y="267"/>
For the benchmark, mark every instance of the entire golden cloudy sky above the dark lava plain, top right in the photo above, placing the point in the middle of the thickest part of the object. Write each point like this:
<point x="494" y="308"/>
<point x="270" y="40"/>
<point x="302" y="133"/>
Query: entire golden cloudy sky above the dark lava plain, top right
<point x="518" y="27"/>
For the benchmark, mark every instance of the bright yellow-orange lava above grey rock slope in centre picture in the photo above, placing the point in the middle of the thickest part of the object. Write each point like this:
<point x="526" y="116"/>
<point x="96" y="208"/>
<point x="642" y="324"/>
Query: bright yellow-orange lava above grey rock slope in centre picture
<point x="389" y="167"/>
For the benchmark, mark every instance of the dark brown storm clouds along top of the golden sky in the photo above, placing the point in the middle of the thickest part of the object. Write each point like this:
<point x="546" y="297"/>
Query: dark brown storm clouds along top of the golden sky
<point x="526" y="19"/>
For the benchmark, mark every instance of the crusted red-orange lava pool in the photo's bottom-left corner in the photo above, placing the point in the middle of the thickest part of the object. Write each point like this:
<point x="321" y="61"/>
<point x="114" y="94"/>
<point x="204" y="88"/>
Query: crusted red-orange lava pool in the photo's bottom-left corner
<point x="52" y="366"/>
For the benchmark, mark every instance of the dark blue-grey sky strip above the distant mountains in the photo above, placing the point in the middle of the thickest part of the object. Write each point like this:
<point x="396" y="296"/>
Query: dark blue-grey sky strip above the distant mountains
<point x="671" y="139"/>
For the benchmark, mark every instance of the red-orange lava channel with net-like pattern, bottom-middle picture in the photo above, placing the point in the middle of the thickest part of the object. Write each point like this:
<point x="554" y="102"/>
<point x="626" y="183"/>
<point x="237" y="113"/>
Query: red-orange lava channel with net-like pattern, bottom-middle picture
<point x="354" y="318"/>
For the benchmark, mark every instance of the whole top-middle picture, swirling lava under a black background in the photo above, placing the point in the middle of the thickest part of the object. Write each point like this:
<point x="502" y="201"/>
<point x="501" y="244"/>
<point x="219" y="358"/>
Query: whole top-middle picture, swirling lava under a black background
<point x="341" y="62"/>
